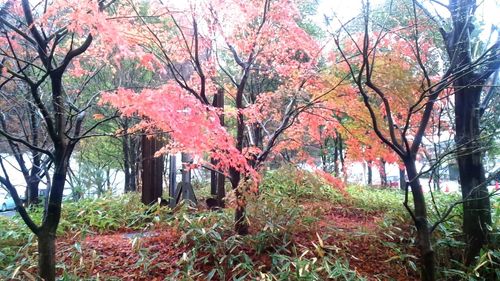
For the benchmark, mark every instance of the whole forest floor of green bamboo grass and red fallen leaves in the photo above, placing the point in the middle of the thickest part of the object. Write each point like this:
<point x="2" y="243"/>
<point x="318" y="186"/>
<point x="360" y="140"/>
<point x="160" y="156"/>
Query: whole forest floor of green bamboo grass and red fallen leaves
<point x="315" y="234"/>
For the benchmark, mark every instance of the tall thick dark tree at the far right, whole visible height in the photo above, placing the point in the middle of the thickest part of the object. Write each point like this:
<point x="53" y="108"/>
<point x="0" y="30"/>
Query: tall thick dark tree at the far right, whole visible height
<point x="467" y="92"/>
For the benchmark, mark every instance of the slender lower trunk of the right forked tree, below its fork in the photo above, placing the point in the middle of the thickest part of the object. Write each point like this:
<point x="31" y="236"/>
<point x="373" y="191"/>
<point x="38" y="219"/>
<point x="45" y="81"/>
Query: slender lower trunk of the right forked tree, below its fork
<point x="427" y="260"/>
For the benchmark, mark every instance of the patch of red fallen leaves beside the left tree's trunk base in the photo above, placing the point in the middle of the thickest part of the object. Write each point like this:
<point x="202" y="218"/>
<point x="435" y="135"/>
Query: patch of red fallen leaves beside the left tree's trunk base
<point x="125" y="256"/>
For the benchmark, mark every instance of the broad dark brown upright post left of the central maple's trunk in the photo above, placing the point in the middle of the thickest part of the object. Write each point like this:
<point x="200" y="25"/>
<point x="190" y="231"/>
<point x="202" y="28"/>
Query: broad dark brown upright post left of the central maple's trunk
<point x="152" y="170"/>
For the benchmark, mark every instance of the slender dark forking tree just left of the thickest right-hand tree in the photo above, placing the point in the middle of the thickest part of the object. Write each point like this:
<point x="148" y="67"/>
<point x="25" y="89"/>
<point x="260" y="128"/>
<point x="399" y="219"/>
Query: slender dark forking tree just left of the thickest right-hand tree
<point x="399" y="109"/>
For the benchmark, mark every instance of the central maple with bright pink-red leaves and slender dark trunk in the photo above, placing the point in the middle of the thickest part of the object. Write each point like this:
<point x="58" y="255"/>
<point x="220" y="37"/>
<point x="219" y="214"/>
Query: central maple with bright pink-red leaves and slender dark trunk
<point x="236" y="50"/>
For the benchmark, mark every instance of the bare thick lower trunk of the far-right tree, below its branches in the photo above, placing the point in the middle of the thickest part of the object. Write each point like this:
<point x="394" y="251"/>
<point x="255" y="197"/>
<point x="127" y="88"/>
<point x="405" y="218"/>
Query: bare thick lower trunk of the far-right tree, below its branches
<point x="477" y="210"/>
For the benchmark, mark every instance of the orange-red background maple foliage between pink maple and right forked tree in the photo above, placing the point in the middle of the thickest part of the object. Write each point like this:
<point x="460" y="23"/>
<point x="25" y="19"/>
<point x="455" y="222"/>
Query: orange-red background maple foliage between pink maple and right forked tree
<point x="339" y="119"/>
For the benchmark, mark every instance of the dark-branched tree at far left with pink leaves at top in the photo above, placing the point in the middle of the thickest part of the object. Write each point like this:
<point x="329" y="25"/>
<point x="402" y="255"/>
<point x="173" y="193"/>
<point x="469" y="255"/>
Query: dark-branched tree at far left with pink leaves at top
<point x="39" y="48"/>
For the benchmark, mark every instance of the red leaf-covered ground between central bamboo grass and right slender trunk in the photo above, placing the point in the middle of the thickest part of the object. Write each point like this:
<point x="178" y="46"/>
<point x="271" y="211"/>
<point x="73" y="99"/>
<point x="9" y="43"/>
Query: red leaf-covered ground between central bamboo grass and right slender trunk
<point x="358" y="237"/>
